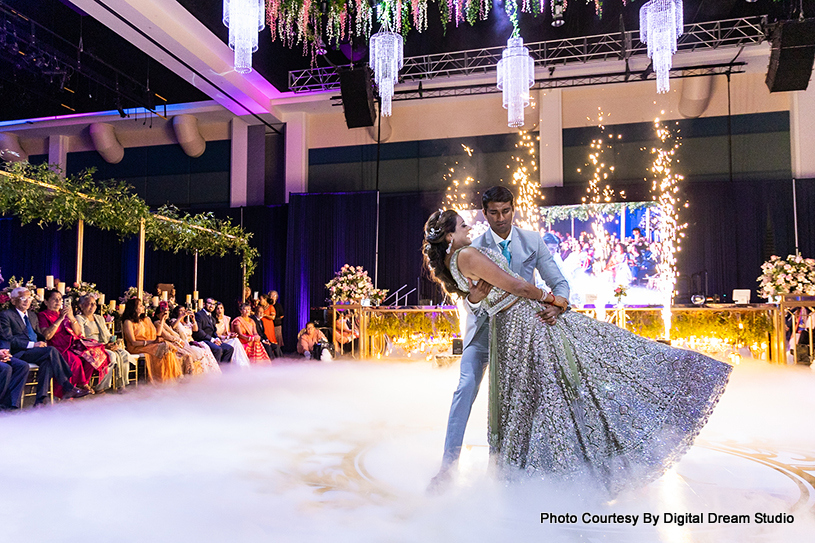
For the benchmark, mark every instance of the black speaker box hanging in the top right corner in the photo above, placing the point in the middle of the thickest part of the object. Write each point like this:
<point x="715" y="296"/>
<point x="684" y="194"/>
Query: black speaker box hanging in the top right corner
<point x="793" y="50"/>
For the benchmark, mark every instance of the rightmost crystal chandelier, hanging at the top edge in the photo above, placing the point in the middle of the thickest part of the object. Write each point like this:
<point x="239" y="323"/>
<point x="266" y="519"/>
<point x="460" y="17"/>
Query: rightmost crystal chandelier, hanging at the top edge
<point x="660" y="25"/>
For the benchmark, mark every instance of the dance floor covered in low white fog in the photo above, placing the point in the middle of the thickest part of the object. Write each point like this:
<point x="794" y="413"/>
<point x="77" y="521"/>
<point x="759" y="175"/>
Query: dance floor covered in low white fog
<point x="343" y="451"/>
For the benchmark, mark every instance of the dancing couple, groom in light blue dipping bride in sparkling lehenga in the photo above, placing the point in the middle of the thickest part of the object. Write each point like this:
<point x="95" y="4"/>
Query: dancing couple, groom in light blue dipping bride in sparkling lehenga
<point x="571" y="398"/>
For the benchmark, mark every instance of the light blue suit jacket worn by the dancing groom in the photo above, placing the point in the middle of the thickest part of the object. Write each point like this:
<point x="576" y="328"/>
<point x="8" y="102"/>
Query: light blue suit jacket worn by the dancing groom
<point x="528" y="254"/>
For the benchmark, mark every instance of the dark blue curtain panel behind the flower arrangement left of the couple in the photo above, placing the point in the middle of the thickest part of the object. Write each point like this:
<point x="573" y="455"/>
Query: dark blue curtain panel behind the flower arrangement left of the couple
<point x="325" y="231"/>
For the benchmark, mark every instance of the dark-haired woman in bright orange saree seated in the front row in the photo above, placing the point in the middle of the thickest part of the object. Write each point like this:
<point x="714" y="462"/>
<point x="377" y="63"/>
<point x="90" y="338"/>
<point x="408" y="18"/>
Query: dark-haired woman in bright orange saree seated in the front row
<point x="142" y="337"/>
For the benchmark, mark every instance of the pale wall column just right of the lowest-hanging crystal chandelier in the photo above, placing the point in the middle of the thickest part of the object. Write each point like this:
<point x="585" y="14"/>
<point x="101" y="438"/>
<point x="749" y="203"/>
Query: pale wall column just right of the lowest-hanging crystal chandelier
<point x="551" y="134"/>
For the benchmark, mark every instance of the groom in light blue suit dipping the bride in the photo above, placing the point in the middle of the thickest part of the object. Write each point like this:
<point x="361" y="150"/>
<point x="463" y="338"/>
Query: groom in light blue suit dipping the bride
<point x="525" y="252"/>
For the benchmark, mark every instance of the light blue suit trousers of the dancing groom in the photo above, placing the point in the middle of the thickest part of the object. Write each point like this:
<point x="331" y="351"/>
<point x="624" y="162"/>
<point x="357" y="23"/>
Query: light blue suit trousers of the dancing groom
<point x="474" y="360"/>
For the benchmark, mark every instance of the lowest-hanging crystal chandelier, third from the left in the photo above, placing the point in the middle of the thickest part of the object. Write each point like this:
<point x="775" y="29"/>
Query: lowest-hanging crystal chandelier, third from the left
<point x="516" y="73"/>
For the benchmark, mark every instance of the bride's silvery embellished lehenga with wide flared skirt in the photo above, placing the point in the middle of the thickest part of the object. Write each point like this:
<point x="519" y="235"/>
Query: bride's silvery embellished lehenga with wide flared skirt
<point x="587" y="400"/>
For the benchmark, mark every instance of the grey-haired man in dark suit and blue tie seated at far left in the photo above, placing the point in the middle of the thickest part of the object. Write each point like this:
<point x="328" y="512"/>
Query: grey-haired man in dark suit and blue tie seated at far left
<point x="20" y="333"/>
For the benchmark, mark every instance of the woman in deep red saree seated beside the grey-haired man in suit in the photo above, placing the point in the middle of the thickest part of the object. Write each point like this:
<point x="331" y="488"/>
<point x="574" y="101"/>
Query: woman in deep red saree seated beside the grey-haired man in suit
<point x="61" y="330"/>
